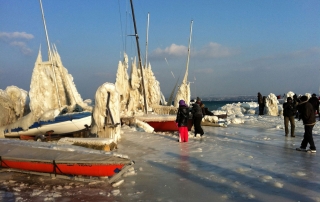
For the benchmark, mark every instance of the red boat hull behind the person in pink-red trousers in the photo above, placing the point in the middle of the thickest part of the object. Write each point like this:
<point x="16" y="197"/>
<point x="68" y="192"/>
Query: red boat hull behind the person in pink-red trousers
<point x="162" y="123"/>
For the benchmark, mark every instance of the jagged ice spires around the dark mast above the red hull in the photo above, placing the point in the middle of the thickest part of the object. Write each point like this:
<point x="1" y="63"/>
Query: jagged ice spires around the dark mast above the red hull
<point x="131" y="90"/>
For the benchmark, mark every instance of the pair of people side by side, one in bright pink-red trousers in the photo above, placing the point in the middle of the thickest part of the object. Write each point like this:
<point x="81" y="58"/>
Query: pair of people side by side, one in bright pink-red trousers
<point x="197" y="111"/>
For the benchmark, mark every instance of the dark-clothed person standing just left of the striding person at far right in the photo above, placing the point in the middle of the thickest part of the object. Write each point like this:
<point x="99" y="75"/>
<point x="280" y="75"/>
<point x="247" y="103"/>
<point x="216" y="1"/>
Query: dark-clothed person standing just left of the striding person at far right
<point x="289" y="112"/>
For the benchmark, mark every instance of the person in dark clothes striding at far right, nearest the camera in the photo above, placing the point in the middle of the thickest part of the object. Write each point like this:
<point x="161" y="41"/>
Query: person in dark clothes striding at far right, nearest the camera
<point x="306" y="113"/>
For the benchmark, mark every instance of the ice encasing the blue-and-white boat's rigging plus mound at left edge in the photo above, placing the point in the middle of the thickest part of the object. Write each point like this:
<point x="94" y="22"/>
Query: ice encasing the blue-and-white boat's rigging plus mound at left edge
<point x="51" y="91"/>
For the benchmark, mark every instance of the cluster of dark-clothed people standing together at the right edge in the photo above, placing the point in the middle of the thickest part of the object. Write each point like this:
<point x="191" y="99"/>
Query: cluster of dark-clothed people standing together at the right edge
<point x="305" y="109"/>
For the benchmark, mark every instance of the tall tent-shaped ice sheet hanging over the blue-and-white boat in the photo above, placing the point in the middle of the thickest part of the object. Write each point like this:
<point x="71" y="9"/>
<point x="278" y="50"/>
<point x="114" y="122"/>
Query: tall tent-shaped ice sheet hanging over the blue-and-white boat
<point x="52" y="87"/>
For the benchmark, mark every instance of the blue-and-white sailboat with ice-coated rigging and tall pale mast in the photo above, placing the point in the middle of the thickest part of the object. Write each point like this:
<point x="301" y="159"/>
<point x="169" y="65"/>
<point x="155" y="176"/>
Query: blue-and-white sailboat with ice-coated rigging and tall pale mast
<point x="55" y="103"/>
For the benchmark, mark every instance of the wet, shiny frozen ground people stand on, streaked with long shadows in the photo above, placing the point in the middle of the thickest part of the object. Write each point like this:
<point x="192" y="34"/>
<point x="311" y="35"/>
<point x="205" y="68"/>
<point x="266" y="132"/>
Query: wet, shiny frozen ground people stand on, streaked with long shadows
<point x="249" y="162"/>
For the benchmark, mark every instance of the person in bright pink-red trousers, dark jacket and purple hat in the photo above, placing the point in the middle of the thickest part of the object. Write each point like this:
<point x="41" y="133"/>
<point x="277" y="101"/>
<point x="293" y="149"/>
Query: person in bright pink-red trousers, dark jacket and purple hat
<point x="182" y="121"/>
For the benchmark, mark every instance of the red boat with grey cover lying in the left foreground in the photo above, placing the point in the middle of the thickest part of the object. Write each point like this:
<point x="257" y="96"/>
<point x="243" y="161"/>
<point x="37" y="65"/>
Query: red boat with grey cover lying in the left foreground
<point x="52" y="158"/>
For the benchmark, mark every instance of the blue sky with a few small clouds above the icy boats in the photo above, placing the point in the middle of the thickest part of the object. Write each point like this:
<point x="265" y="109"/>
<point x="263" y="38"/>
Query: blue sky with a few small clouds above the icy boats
<point x="237" y="47"/>
